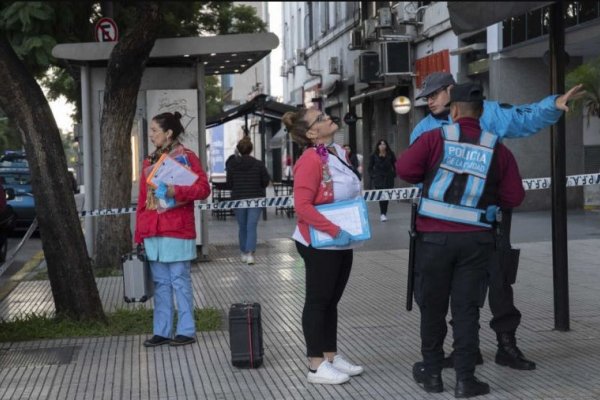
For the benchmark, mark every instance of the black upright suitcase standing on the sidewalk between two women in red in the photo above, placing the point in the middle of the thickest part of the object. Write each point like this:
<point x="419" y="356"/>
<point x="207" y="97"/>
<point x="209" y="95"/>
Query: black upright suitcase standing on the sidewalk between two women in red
<point x="245" y="335"/>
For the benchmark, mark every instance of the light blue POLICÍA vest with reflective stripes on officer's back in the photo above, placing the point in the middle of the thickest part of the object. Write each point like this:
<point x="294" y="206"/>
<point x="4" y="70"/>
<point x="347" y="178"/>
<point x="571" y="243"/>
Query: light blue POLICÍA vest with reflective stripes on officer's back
<point x="458" y="157"/>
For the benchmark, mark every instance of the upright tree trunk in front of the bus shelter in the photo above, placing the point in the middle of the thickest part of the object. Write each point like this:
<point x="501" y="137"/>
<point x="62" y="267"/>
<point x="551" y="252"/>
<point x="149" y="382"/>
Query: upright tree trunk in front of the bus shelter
<point x="123" y="78"/>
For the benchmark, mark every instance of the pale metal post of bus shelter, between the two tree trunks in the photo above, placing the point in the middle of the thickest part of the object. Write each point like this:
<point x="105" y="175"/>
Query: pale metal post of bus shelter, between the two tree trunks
<point x="88" y="172"/>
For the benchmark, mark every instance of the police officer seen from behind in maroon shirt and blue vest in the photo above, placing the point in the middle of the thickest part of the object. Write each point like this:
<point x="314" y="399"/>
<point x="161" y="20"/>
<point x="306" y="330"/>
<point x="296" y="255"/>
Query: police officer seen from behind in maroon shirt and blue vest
<point x="466" y="175"/>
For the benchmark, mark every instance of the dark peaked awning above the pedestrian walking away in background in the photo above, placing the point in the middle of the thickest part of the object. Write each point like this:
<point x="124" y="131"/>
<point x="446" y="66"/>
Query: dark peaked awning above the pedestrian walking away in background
<point x="260" y="105"/>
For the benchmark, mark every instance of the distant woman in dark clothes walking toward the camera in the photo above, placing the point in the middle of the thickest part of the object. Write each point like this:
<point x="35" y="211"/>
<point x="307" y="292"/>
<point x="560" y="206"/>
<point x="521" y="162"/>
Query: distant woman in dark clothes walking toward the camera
<point x="382" y="172"/>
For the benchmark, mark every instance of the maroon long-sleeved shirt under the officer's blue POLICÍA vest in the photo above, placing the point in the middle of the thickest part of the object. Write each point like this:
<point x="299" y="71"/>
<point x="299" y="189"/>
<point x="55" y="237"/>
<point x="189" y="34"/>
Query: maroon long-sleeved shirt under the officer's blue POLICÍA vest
<point x="423" y="156"/>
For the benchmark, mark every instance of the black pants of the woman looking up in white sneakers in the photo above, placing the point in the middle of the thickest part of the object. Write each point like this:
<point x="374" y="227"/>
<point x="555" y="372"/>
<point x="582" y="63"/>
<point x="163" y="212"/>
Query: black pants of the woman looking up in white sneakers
<point x="327" y="272"/>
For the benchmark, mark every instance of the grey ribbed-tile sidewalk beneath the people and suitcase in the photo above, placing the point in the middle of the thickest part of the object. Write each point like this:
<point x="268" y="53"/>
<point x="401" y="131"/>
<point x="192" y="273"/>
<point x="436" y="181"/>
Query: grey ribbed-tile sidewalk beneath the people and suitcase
<point x="374" y="330"/>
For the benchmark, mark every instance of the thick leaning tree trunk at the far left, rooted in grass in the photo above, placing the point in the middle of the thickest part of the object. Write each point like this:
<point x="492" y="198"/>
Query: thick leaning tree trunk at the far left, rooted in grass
<point x="69" y="268"/>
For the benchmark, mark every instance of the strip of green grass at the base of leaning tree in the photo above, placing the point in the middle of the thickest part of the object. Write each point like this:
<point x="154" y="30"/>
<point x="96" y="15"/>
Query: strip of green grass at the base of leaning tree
<point x="121" y="322"/>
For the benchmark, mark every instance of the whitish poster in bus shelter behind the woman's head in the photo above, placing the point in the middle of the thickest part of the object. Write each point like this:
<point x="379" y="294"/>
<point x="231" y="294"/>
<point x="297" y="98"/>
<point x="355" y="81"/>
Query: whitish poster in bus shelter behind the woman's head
<point x="185" y="102"/>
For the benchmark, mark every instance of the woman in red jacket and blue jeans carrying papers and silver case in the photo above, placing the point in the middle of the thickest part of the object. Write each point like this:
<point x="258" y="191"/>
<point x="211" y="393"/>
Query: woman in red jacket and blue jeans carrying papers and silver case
<point x="166" y="228"/>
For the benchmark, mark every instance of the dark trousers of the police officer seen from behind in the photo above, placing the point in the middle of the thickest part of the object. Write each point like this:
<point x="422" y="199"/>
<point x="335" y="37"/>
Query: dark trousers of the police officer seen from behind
<point x="451" y="268"/>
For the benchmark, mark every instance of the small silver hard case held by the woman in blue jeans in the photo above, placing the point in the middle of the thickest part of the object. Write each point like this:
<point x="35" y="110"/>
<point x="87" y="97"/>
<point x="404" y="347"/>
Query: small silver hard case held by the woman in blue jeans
<point x="137" y="279"/>
